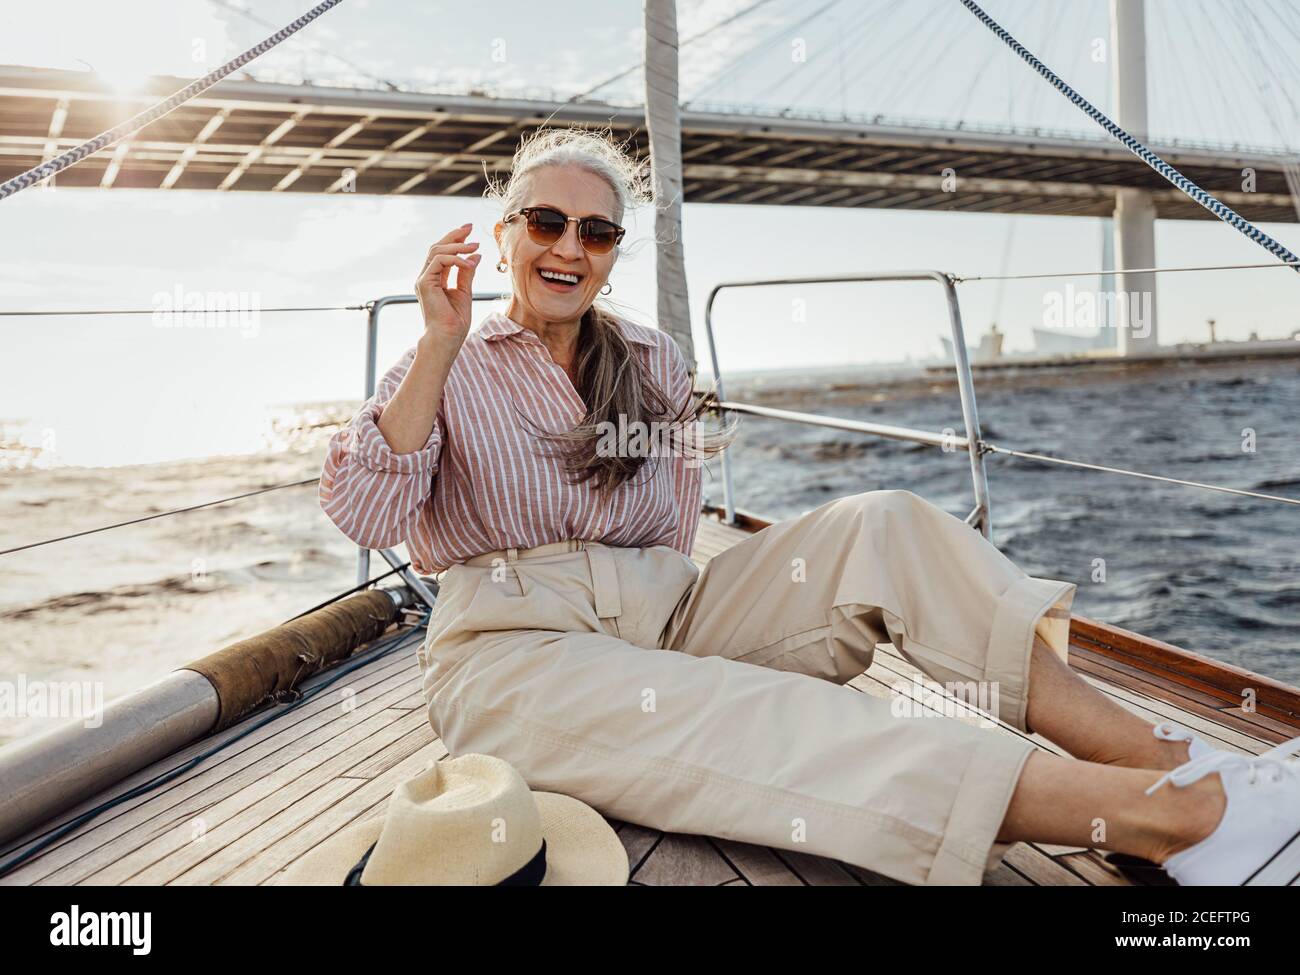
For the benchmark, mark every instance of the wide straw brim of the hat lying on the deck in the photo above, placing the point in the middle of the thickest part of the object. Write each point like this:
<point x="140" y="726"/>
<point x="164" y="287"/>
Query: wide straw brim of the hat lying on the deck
<point x="582" y="850"/>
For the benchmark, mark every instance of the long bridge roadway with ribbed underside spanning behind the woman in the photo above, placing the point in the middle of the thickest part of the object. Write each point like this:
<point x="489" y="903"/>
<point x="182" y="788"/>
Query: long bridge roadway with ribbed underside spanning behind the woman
<point x="259" y="137"/>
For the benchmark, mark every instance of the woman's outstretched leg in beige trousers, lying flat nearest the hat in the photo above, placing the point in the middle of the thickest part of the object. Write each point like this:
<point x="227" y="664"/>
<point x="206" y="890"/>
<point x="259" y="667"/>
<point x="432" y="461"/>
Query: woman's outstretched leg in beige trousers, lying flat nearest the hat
<point x="704" y="744"/>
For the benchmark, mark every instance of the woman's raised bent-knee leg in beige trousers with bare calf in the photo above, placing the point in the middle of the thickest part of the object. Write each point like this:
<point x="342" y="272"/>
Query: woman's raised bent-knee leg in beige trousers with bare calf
<point x="814" y="595"/>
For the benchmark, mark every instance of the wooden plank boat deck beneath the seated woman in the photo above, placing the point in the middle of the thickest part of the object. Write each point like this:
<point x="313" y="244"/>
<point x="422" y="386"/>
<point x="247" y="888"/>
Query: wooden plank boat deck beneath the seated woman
<point x="279" y="783"/>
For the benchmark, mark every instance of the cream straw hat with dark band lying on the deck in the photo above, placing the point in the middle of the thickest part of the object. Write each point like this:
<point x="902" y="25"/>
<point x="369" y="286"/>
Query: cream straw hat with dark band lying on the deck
<point x="470" y="821"/>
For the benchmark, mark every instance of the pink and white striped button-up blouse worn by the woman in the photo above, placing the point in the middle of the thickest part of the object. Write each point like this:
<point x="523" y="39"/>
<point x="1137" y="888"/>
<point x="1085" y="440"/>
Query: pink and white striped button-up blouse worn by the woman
<point x="480" y="484"/>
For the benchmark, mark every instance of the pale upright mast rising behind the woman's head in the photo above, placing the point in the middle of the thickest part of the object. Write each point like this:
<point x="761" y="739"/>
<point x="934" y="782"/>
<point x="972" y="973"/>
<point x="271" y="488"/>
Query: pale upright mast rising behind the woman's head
<point x="664" y="125"/>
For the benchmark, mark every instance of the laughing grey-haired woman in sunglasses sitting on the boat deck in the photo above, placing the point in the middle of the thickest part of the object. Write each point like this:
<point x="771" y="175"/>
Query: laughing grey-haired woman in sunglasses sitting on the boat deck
<point x="574" y="638"/>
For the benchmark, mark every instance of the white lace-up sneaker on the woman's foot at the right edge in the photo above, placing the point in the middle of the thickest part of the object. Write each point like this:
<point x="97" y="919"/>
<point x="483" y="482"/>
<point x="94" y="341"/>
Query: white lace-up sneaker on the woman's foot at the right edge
<point x="1258" y="842"/>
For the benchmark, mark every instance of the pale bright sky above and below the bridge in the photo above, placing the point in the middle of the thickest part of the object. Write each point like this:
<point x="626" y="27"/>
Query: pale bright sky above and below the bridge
<point x="119" y="389"/>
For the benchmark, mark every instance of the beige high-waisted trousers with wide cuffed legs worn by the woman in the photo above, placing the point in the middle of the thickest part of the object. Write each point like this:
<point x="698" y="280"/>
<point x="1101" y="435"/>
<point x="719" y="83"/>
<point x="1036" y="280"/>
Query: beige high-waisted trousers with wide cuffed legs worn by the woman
<point x="710" y="703"/>
